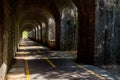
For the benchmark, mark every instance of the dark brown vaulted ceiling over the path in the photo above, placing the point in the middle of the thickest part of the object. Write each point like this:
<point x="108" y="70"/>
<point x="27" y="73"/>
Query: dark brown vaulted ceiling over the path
<point x="37" y="11"/>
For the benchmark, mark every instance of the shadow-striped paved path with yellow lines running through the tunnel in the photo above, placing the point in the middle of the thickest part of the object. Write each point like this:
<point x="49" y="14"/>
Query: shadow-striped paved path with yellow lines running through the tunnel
<point x="37" y="62"/>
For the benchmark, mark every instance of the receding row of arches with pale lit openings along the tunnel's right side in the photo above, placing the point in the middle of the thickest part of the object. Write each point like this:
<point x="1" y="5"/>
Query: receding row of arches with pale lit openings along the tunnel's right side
<point x="53" y="33"/>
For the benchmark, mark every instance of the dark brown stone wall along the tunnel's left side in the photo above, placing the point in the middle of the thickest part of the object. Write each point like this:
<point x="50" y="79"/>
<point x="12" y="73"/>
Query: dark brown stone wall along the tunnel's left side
<point x="7" y="36"/>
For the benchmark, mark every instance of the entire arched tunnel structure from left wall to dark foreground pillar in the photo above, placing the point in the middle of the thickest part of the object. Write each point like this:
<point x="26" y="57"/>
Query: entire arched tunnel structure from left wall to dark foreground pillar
<point x="60" y="24"/>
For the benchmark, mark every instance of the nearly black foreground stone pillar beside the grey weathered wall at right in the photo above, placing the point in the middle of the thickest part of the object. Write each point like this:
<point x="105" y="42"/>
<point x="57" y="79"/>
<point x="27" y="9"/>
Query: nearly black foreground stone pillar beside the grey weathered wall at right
<point x="86" y="29"/>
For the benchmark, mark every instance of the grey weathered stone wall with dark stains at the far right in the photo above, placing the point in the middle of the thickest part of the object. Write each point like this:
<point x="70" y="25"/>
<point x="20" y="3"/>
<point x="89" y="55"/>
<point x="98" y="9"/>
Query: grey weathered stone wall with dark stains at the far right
<point x="107" y="39"/>
